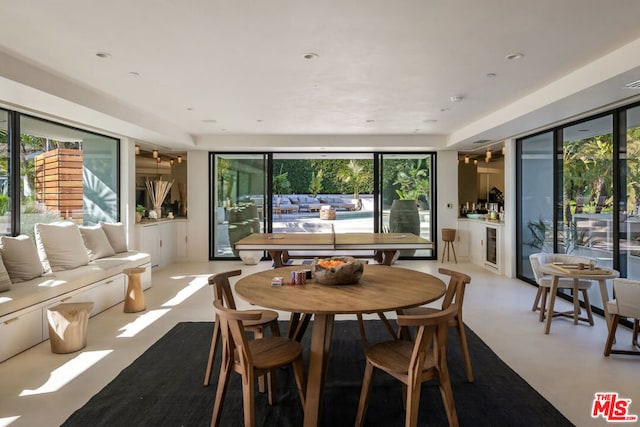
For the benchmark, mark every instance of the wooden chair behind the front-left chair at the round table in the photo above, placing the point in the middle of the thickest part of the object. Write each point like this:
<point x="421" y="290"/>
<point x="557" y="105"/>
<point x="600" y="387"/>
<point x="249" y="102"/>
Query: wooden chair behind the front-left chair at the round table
<point x="222" y="292"/>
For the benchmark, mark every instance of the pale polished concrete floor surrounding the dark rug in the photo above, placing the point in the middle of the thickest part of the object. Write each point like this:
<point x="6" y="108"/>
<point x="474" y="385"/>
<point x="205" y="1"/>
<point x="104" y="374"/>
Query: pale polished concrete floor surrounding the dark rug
<point x="567" y="367"/>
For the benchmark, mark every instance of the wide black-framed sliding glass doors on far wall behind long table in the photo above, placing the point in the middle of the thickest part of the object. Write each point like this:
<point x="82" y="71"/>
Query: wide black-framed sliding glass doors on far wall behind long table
<point x="319" y="193"/>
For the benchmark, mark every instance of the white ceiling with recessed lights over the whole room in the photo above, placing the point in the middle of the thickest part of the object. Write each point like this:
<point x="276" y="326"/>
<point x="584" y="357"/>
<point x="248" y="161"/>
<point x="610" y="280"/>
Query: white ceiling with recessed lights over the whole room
<point x="232" y="74"/>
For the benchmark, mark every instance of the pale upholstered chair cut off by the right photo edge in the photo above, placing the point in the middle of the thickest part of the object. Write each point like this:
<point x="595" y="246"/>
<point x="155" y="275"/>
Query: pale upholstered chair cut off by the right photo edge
<point x="625" y="304"/>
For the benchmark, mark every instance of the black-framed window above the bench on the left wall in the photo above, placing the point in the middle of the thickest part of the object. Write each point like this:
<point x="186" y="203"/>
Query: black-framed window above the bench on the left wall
<point x="63" y="173"/>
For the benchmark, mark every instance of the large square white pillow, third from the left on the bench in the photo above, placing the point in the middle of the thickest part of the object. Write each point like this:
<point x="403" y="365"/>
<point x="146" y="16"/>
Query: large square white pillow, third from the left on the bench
<point x="62" y="245"/>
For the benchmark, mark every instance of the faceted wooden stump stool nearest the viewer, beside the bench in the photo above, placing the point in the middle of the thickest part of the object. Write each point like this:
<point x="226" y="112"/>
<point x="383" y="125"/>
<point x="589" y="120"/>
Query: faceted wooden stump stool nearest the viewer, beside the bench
<point x="68" y="326"/>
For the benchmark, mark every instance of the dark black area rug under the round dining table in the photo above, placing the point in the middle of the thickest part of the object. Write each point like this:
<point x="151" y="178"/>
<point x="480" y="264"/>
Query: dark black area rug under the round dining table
<point x="163" y="387"/>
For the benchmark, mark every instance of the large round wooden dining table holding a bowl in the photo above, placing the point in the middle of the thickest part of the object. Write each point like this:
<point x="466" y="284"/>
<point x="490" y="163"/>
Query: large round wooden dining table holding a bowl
<point x="381" y="288"/>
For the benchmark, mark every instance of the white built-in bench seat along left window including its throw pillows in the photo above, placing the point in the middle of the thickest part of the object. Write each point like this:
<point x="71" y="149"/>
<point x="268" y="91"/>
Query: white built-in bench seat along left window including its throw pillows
<point x="66" y="276"/>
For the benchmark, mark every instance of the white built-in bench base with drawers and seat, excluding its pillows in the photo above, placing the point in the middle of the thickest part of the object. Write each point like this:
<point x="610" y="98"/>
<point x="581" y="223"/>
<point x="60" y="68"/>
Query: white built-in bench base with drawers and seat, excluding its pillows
<point x="23" y="308"/>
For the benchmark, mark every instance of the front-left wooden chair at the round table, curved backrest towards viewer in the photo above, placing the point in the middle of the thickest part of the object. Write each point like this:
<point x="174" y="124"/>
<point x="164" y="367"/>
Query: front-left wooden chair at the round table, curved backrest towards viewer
<point x="252" y="359"/>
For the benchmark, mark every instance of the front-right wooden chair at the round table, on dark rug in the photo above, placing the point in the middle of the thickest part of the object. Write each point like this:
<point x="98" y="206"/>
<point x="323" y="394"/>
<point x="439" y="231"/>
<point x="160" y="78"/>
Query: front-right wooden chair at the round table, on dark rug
<point x="412" y="363"/>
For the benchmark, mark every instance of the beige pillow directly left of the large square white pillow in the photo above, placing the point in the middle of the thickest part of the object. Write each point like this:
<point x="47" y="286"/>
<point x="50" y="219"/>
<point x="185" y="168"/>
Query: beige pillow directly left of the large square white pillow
<point x="20" y="257"/>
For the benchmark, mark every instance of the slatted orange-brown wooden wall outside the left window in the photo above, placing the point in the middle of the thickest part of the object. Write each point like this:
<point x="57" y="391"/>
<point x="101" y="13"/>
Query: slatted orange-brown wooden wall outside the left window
<point x="59" y="182"/>
